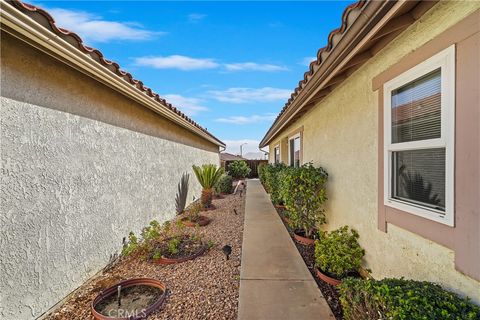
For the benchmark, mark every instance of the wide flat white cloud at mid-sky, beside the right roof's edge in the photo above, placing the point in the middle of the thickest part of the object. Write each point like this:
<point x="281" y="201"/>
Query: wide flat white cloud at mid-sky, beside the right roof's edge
<point x="249" y="95"/>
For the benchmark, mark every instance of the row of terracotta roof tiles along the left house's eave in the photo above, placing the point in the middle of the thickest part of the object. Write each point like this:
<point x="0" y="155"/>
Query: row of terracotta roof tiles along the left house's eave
<point x="35" y="13"/>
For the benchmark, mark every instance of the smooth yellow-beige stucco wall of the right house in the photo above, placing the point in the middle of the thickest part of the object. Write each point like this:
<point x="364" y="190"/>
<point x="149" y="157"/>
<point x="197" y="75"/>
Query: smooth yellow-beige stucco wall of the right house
<point x="340" y="134"/>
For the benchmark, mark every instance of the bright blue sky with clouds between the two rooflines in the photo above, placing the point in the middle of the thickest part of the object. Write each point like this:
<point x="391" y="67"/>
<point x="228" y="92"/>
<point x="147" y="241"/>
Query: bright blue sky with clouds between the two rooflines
<point x="229" y="65"/>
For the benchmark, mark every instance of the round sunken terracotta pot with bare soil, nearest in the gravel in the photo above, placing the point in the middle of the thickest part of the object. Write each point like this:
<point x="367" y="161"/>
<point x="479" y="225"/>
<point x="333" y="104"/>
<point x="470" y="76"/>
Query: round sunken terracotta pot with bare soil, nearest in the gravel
<point x="140" y="312"/>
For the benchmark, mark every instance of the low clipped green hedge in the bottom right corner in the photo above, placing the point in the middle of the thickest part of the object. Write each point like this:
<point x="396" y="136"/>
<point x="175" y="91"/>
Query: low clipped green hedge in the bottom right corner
<point x="402" y="299"/>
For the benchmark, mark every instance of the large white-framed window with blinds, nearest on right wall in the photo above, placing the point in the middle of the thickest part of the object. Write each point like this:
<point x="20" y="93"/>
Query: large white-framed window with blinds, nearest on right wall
<point x="419" y="119"/>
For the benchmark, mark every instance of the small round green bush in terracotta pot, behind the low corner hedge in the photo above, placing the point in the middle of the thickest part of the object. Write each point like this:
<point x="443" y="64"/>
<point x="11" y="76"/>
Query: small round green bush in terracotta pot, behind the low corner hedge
<point x="338" y="255"/>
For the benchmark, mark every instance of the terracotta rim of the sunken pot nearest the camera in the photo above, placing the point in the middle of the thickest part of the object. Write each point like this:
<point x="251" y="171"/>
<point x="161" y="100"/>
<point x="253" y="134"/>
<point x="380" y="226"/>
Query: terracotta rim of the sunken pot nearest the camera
<point x="125" y="284"/>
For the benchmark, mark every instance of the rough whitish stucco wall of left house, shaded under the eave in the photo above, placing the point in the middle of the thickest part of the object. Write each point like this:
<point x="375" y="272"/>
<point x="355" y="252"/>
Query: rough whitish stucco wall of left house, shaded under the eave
<point x="81" y="166"/>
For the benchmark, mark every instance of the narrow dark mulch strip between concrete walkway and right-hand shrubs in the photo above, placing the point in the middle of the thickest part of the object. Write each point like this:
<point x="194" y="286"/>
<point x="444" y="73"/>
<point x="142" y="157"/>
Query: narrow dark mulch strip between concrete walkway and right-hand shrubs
<point x="308" y="254"/>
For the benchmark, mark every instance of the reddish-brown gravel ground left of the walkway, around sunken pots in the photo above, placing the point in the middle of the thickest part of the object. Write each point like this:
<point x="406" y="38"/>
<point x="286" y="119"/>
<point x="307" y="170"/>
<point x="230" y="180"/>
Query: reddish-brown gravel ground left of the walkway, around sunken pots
<point x="204" y="288"/>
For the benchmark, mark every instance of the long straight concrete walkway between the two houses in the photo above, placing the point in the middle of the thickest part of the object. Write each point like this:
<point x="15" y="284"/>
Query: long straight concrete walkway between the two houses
<point x="274" y="281"/>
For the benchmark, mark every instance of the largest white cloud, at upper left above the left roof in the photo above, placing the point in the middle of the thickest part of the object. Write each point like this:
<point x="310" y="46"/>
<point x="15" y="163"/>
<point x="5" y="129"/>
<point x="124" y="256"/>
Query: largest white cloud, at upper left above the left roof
<point x="93" y="28"/>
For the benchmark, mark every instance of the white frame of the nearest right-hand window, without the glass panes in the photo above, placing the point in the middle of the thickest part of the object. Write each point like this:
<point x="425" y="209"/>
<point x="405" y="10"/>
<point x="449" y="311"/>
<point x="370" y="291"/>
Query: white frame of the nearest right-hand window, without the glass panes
<point x="446" y="61"/>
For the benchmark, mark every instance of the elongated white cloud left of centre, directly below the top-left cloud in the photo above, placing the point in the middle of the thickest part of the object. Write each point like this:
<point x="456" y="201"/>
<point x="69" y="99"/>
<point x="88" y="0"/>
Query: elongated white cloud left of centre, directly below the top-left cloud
<point x="176" y="62"/>
